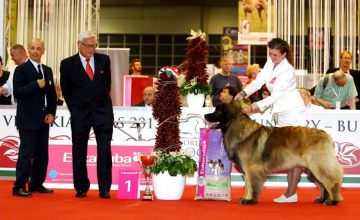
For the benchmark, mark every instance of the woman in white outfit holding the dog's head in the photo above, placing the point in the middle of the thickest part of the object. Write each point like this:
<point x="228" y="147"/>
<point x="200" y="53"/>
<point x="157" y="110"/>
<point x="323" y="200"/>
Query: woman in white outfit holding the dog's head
<point x="288" y="108"/>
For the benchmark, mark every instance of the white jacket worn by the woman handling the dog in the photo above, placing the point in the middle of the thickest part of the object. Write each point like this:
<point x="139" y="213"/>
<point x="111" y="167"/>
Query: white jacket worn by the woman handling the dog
<point x="281" y="82"/>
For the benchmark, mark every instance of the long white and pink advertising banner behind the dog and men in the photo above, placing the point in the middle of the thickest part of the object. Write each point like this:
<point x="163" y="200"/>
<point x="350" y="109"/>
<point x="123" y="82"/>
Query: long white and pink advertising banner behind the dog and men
<point x="135" y="129"/>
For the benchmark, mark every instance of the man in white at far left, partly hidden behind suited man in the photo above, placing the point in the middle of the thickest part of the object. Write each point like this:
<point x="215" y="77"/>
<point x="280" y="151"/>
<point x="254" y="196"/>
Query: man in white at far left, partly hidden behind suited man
<point x="18" y="55"/>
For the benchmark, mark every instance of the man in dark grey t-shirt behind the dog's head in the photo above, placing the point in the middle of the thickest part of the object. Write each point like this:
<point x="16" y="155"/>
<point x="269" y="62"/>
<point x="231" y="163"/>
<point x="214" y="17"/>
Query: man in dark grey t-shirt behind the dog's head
<point x="225" y="78"/>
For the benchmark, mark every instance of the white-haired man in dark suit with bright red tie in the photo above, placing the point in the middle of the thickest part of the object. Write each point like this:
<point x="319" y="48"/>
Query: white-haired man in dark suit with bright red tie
<point x="85" y="82"/>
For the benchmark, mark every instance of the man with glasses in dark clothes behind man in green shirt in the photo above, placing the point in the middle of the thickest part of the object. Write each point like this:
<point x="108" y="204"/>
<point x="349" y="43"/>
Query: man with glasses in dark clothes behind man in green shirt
<point x="345" y="64"/>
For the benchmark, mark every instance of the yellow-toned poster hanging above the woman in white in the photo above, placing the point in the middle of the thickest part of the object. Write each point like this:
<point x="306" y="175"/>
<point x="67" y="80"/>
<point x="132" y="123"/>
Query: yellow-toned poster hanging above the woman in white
<point x="255" y="21"/>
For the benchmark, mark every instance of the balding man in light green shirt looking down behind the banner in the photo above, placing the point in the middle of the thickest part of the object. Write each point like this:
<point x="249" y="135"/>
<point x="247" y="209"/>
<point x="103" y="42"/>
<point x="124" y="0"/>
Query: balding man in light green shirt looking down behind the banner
<point x="337" y="90"/>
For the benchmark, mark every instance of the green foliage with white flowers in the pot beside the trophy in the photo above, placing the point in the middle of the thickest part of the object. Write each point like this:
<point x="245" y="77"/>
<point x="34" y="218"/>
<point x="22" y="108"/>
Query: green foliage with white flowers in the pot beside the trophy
<point x="175" y="163"/>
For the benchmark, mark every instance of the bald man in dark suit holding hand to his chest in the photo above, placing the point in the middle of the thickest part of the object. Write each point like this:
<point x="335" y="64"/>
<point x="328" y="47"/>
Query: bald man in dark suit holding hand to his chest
<point x="36" y="106"/>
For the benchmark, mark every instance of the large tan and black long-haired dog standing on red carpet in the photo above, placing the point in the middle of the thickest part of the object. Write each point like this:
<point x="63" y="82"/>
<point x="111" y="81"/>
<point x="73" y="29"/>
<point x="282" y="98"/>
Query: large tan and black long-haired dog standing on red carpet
<point x="260" y="150"/>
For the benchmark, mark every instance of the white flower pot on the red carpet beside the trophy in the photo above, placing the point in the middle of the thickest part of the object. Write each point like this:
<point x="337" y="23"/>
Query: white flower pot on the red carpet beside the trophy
<point x="168" y="187"/>
